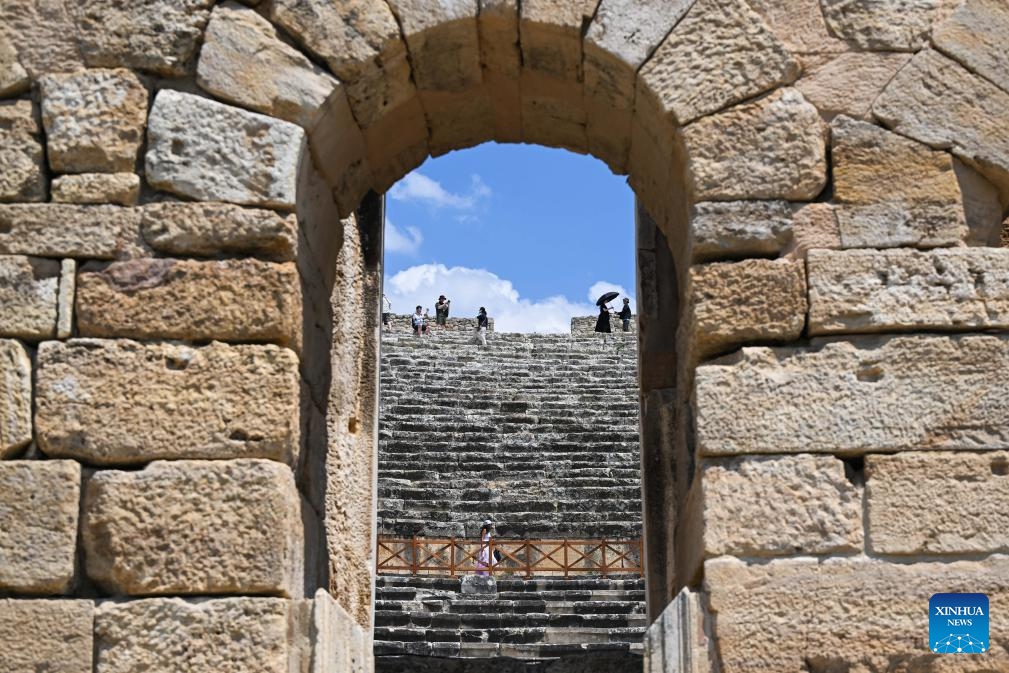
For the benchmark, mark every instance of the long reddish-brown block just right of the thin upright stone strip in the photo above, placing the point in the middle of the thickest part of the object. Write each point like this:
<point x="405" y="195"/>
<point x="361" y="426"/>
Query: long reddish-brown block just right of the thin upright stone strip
<point x="234" y="300"/>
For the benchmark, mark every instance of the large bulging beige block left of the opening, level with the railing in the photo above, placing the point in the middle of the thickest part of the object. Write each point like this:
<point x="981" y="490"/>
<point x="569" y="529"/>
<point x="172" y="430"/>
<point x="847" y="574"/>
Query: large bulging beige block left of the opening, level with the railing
<point x="195" y="528"/>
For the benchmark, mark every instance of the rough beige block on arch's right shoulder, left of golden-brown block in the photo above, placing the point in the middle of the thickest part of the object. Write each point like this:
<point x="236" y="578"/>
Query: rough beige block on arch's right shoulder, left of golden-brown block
<point x="772" y="149"/>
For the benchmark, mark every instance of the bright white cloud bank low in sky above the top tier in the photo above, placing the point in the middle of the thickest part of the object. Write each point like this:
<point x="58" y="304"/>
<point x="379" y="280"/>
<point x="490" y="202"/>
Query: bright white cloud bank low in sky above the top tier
<point x="470" y="289"/>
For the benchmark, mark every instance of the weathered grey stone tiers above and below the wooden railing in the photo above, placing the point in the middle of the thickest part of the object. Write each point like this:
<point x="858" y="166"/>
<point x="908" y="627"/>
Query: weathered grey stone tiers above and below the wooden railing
<point x="540" y="434"/>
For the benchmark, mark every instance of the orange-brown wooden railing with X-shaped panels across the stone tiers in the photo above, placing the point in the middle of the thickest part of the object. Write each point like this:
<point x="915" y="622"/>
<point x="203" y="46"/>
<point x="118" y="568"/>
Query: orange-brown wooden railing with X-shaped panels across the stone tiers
<point x="452" y="556"/>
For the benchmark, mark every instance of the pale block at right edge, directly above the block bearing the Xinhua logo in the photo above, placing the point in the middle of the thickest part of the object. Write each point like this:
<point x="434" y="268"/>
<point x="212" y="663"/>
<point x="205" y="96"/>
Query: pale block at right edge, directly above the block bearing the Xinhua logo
<point x="904" y="490"/>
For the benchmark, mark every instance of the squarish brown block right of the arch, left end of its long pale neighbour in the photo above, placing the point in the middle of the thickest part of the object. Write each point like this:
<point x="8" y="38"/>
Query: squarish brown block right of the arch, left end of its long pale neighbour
<point x="746" y="302"/>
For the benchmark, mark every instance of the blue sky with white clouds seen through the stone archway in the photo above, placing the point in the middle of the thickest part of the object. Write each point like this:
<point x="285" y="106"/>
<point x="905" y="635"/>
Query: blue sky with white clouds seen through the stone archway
<point x="534" y="235"/>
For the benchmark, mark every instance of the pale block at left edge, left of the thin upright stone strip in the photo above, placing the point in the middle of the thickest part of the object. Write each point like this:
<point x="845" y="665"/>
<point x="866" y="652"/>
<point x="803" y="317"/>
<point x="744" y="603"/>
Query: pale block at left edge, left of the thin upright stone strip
<point x="29" y="289"/>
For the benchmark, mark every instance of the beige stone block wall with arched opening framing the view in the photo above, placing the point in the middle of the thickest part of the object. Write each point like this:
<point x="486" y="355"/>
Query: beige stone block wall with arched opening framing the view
<point x="189" y="329"/>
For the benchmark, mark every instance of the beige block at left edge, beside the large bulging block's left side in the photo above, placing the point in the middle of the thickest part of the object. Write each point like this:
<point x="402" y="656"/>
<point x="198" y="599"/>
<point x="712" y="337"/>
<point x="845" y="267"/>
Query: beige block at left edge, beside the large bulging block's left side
<point x="39" y="505"/>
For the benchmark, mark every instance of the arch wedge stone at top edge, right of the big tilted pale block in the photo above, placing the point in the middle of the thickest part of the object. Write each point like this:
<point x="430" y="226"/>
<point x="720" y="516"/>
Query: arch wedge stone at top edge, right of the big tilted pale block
<point x="362" y="44"/>
